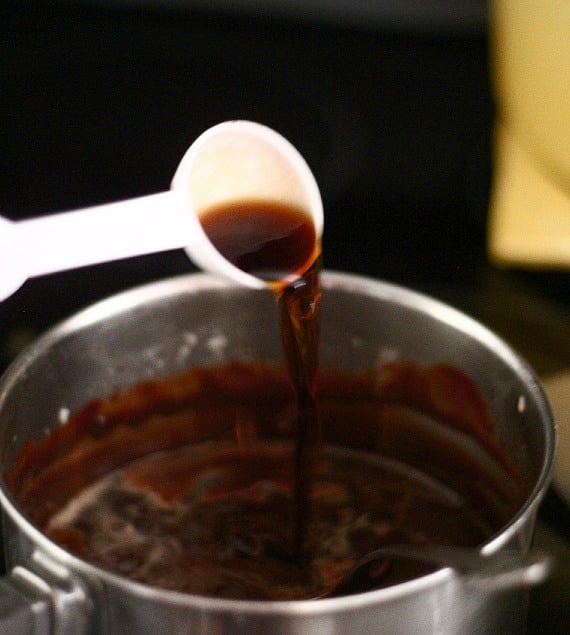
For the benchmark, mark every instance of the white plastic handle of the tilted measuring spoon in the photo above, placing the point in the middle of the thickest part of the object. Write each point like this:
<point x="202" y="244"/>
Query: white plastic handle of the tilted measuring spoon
<point x="47" y="244"/>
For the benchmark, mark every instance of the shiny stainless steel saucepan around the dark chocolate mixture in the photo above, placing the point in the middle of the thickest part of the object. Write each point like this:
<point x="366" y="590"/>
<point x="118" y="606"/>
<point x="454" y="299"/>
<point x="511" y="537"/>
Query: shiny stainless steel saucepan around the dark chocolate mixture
<point x="164" y="328"/>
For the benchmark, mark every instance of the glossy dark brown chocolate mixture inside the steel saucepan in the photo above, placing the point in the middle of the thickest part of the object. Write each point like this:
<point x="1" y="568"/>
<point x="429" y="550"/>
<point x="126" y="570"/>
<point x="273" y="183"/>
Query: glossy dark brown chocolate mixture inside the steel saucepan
<point x="188" y="482"/>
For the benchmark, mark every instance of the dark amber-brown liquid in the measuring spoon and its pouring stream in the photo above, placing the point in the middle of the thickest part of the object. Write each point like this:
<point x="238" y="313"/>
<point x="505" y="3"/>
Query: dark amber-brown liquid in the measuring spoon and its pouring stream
<point x="277" y="243"/>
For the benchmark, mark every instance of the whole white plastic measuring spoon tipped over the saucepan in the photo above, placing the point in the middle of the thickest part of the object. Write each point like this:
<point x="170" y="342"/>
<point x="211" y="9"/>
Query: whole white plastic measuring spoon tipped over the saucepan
<point x="233" y="161"/>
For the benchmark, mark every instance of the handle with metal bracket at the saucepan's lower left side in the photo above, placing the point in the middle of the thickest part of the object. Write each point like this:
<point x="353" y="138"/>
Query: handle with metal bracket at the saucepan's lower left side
<point x="43" y="599"/>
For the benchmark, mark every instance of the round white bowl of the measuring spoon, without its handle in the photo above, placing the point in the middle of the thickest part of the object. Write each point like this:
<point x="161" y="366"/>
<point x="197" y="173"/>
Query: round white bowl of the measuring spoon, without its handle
<point x="242" y="161"/>
